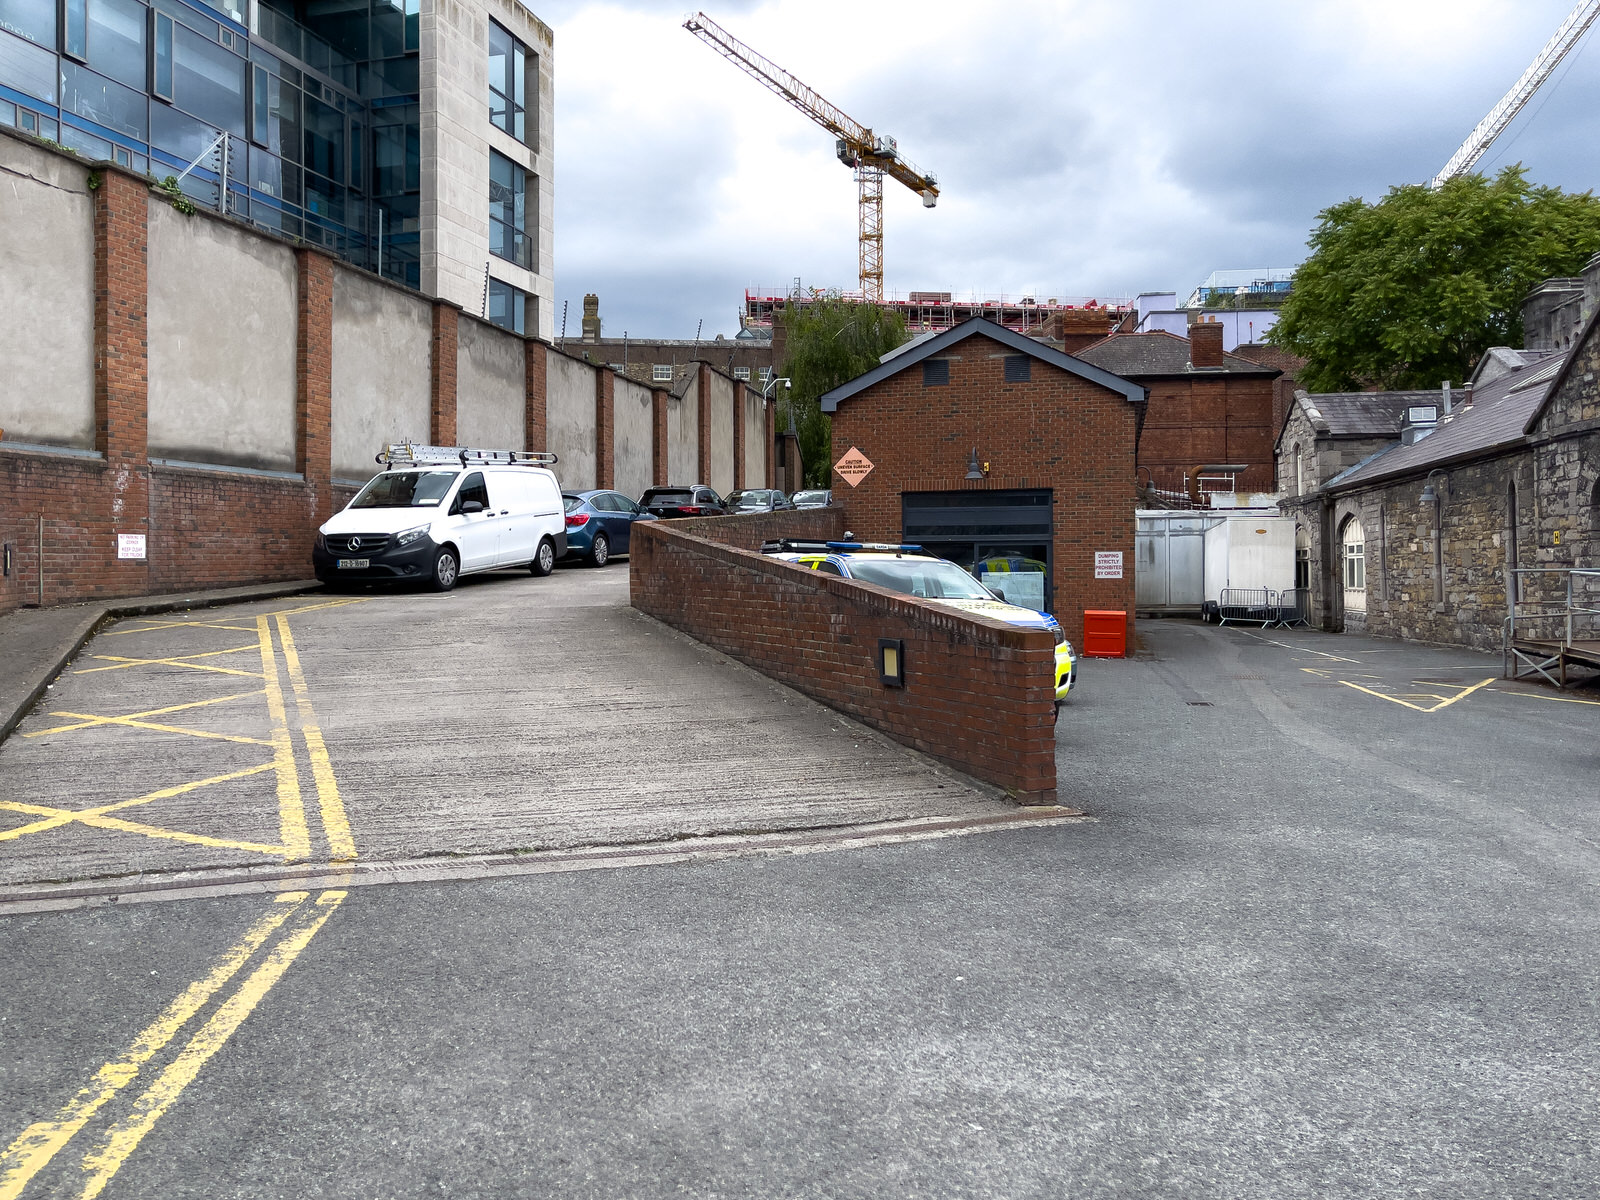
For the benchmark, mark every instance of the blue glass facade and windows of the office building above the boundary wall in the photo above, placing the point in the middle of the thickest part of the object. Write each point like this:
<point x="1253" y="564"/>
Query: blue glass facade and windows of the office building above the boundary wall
<point x="321" y="106"/>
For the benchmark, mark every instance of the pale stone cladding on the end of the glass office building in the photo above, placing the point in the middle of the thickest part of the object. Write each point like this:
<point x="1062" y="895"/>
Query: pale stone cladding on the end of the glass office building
<point x="457" y="138"/>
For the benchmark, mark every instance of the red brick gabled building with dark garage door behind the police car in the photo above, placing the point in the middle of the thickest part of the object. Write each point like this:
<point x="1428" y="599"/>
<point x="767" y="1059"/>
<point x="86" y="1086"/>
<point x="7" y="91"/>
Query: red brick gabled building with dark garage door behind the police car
<point x="1002" y="455"/>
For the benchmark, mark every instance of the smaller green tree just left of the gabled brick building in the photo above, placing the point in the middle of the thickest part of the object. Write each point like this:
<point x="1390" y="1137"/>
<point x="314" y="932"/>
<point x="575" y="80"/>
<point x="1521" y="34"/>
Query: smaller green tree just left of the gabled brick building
<point x="830" y="343"/>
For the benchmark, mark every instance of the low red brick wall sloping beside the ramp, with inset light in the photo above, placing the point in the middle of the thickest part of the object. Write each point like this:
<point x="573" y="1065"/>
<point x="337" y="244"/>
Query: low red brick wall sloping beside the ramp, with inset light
<point x="978" y="694"/>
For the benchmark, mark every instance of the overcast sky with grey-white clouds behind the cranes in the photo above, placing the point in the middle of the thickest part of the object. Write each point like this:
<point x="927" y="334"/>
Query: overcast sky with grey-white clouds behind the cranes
<point x="1082" y="150"/>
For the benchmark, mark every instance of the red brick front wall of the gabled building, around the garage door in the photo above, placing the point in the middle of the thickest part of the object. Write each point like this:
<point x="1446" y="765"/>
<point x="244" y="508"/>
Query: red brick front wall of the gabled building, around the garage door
<point x="1058" y="433"/>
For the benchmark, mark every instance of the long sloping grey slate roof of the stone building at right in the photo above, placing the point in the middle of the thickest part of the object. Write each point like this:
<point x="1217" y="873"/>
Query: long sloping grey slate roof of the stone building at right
<point x="1497" y="418"/>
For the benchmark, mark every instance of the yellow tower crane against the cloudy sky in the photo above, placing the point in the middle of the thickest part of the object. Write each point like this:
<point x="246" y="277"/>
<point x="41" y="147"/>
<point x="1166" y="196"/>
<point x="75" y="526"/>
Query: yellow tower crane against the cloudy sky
<point x="870" y="156"/>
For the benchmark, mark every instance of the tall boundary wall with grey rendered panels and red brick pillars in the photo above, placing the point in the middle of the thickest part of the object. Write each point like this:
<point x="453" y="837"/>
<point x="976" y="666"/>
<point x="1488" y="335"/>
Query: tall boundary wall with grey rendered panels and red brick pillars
<point x="142" y="406"/>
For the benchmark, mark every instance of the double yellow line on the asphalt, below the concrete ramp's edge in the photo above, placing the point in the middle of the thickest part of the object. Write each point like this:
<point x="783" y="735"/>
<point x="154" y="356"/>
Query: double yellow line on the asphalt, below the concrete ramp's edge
<point x="39" y="1145"/>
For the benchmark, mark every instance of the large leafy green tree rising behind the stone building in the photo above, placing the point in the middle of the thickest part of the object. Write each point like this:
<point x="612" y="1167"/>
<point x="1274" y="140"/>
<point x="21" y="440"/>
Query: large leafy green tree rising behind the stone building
<point x="1414" y="290"/>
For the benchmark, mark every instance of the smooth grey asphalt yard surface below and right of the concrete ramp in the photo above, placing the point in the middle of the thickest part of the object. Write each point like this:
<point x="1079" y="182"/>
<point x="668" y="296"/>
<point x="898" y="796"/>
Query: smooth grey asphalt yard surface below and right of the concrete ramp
<point x="1330" y="934"/>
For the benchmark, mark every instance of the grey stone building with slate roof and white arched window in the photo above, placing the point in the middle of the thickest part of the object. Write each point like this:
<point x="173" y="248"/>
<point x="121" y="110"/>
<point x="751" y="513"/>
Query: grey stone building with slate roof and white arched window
<point x="1415" y="532"/>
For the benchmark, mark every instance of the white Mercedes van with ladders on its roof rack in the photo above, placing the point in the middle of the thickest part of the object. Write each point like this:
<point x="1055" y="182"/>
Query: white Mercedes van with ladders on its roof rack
<point x="439" y="513"/>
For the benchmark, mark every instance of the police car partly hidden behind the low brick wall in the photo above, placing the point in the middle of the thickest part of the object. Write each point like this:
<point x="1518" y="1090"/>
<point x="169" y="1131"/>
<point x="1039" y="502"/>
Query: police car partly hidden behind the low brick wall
<point x="913" y="570"/>
